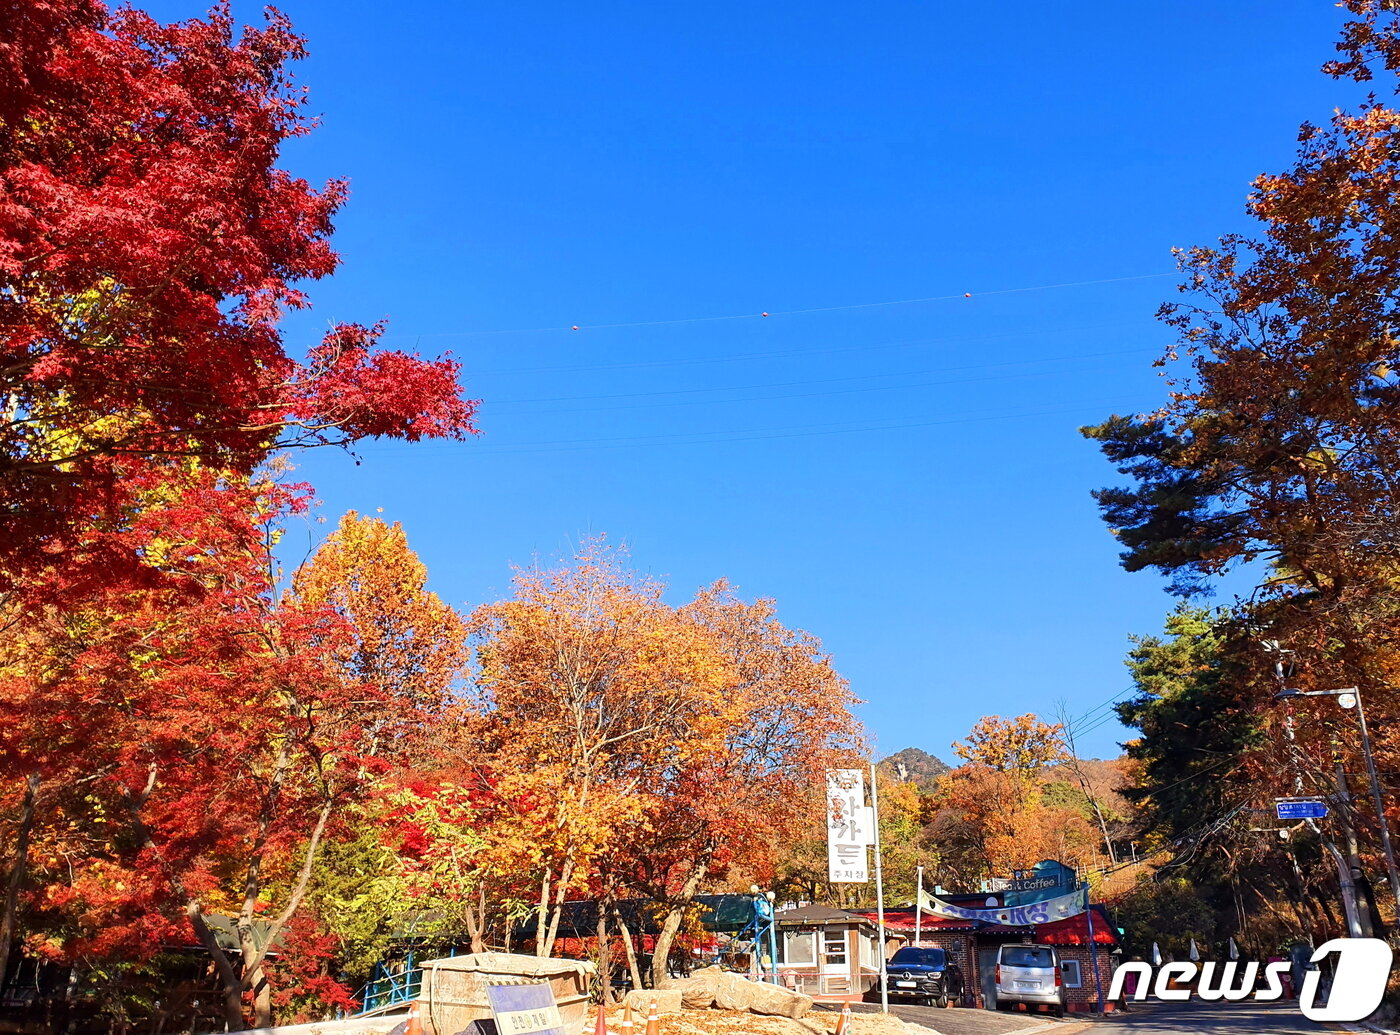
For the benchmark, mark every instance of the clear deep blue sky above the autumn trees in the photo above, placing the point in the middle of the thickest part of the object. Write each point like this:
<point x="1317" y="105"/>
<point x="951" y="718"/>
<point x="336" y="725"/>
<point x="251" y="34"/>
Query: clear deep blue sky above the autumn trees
<point x="906" y="481"/>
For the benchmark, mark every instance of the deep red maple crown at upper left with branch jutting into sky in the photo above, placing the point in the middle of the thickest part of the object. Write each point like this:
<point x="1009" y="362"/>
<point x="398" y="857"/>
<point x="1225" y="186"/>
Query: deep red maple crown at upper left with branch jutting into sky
<point x="149" y="246"/>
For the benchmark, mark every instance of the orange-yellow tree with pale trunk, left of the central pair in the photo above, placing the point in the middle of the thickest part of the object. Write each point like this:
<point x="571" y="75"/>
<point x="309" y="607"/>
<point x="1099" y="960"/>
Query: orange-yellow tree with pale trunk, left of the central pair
<point x="590" y="687"/>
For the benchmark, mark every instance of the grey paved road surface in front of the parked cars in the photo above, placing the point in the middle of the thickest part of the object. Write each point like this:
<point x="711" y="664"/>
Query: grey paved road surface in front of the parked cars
<point x="1147" y="1019"/>
